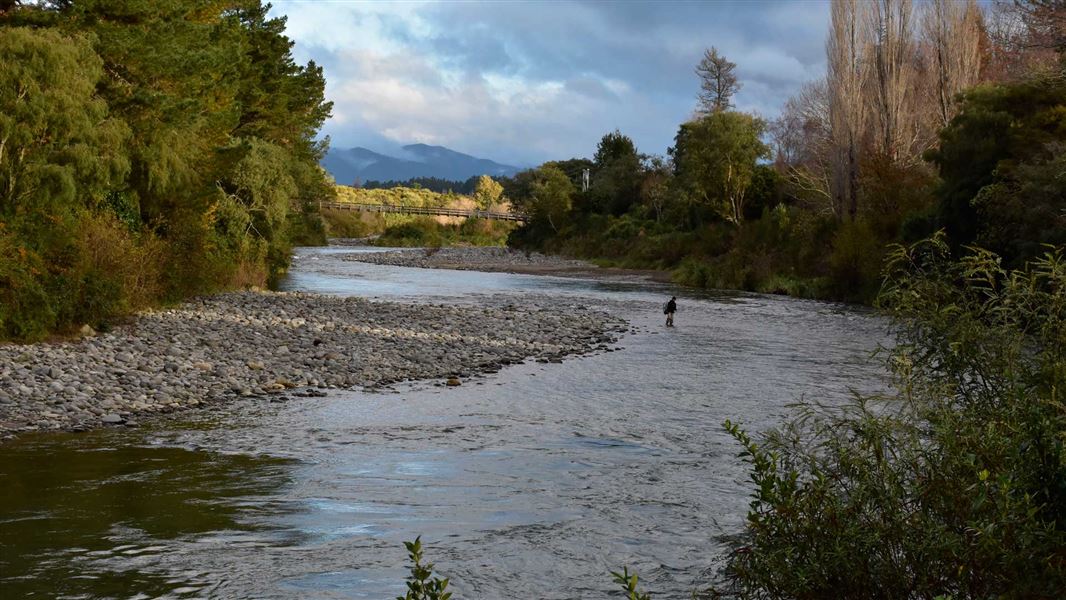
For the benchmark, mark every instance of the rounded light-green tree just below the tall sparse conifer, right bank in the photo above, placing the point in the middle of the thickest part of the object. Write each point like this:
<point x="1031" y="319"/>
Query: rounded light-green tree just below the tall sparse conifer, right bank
<point x="715" y="159"/>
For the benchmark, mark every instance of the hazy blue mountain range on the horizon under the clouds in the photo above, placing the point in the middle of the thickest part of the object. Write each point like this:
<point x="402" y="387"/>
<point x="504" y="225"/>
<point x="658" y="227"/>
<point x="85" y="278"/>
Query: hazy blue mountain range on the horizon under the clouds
<point x="421" y="161"/>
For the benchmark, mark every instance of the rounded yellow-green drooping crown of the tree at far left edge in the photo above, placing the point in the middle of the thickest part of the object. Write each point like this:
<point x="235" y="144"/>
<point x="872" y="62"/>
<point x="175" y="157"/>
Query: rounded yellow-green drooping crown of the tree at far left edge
<point x="59" y="148"/>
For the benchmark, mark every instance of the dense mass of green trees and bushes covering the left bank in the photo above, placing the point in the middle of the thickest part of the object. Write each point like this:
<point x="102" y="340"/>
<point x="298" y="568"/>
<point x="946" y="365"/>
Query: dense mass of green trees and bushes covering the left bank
<point x="150" y="150"/>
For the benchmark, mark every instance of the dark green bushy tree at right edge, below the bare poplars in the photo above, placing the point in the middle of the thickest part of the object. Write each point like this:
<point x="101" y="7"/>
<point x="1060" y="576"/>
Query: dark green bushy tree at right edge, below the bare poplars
<point x="1005" y="140"/>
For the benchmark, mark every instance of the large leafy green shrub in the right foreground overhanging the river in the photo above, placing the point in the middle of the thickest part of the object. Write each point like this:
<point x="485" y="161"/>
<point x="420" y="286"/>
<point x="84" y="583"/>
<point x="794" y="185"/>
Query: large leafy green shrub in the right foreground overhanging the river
<point x="957" y="485"/>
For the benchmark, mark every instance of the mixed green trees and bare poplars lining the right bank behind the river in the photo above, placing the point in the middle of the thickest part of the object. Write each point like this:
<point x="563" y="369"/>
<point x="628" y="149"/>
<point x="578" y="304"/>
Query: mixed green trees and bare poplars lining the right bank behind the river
<point x="932" y="116"/>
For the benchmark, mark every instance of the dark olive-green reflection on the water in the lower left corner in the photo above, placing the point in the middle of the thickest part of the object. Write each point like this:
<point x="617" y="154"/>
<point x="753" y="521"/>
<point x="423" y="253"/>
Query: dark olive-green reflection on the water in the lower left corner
<point x="95" y="515"/>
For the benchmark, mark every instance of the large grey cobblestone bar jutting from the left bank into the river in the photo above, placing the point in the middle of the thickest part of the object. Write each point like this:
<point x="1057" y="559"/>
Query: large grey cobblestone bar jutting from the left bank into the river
<point x="261" y="344"/>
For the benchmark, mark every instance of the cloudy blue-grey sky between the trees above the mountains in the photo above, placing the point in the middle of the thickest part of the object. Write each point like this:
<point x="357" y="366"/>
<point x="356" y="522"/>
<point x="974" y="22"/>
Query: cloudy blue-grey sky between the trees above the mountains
<point x="526" y="83"/>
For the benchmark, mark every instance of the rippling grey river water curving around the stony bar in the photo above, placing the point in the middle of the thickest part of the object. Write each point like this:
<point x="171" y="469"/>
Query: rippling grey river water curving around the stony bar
<point x="535" y="482"/>
